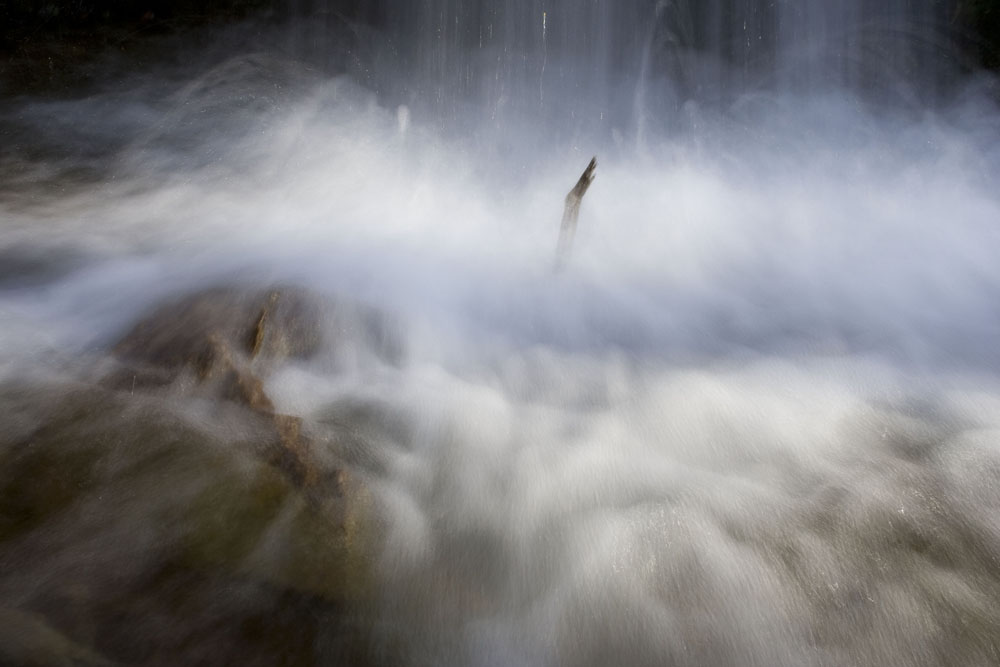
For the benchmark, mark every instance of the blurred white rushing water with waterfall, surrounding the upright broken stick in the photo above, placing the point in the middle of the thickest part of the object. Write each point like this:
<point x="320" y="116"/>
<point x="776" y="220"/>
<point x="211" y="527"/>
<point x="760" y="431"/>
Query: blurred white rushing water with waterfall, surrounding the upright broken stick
<point x="755" y="421"/>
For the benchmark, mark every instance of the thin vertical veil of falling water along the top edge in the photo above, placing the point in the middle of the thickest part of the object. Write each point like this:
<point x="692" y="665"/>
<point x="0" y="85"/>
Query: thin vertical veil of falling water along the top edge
<point x="594" y="54"/>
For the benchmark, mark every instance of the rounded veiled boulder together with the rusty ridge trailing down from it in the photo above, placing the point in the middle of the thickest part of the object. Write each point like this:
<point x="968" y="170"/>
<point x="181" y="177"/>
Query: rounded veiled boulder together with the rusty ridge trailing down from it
<point x="222" y="343"/>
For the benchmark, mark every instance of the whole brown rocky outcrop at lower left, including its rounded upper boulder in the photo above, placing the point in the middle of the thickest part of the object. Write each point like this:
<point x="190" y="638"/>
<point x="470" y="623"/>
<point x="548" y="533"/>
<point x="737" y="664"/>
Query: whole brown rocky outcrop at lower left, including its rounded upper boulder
<point x="170" y="515"/>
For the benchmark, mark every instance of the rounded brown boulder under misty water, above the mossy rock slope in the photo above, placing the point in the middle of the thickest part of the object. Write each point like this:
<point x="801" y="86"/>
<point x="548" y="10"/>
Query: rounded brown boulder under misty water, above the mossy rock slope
<point x="224" y="338"/>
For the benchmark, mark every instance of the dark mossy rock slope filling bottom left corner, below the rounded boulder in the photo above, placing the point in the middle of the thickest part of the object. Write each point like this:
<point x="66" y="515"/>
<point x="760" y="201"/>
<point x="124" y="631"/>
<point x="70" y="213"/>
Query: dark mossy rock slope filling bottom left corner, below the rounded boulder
<point x="157" y="535"/>
